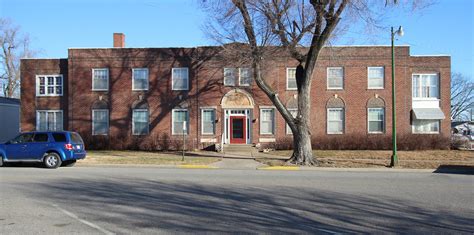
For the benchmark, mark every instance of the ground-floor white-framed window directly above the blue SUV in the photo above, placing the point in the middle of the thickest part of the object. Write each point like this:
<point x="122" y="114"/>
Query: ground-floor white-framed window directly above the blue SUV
<point x="49" y="120"/>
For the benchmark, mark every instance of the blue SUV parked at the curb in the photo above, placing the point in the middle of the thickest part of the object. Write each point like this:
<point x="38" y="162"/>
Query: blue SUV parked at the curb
<point x="53" y="149"/>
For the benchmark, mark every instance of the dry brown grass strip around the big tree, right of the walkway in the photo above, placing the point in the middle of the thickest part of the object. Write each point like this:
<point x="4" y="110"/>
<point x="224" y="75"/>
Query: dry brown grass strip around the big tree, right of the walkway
<point x="370" y="158"/>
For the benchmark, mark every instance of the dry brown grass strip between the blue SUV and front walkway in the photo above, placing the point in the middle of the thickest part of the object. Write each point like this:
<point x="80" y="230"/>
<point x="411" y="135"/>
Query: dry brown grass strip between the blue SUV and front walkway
<point x="143" y="158"/>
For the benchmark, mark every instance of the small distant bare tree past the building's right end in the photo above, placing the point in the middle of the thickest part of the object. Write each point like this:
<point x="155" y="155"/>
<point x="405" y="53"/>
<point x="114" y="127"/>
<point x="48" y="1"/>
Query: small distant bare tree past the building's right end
<point x="462" y="96"/>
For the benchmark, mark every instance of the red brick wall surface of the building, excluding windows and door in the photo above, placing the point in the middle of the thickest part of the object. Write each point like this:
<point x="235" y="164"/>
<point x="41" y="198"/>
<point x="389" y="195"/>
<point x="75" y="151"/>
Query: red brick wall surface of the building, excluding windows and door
<point x="206" y="89"/>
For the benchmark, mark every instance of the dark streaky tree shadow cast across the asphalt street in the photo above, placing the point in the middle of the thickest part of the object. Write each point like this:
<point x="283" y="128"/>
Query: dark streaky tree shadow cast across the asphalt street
<point x="144" y="206"/>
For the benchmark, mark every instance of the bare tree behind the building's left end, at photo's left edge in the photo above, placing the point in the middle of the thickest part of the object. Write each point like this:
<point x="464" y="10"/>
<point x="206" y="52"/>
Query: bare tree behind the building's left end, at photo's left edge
<point x="14" y="46"/>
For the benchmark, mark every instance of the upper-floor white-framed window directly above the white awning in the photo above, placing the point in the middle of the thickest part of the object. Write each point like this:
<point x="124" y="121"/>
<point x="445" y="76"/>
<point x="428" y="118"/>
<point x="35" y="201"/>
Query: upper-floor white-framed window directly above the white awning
<point x="425" y="86"/>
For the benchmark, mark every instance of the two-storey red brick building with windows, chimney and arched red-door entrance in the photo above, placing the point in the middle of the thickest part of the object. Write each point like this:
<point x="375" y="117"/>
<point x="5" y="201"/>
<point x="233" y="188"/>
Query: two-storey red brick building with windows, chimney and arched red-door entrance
<point x="122" y="95"/>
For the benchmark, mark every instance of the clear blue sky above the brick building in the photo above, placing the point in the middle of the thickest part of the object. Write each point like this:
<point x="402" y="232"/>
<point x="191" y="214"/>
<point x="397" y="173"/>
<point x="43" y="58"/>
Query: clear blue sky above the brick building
<point x="55" y="25"/>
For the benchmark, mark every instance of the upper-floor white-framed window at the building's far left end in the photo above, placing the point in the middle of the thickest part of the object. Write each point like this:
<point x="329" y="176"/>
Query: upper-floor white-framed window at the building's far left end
<point x="49" y="85"/>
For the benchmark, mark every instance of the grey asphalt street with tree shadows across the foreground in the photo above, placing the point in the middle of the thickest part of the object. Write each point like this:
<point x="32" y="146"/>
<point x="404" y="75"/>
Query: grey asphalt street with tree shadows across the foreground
<point x="121" y="200"/>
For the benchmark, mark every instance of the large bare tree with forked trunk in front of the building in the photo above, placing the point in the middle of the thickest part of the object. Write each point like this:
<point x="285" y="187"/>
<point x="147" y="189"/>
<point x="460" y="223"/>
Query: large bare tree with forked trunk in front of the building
<point x="299" y="28"/>
